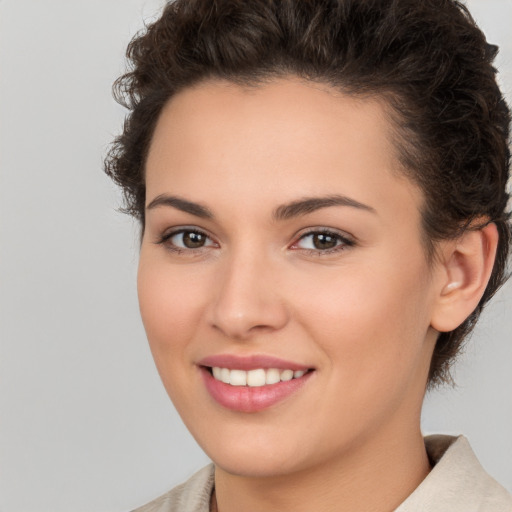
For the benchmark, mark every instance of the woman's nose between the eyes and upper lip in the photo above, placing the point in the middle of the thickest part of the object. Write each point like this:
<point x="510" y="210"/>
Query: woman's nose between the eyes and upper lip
<point x="248" y="298"/>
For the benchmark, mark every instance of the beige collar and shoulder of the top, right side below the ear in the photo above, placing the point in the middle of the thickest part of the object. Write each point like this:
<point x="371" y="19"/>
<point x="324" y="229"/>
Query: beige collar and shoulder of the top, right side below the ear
<point x="457" y="481"/>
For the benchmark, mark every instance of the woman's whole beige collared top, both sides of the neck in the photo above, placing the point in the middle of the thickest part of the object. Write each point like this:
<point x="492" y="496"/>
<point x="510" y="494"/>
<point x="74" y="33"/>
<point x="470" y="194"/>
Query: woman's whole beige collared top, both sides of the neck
<point x="457" y="483"/>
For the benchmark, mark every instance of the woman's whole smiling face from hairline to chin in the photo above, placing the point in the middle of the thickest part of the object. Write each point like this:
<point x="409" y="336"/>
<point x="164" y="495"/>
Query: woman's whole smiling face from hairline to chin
<point x="282" y="241"/>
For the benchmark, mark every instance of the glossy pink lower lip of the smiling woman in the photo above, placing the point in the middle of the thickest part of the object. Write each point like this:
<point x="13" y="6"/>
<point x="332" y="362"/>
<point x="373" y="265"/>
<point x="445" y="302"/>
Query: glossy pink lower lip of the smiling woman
<point x="251" y="399"/>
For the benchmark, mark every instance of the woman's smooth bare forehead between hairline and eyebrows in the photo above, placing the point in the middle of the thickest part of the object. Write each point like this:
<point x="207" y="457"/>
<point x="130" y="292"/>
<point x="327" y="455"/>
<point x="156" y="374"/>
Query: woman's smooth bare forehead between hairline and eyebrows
<point x="273" y="143"/>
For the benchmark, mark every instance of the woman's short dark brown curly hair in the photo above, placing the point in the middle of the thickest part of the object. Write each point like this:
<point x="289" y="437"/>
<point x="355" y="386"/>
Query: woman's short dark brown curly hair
<point x="427" y="59"/>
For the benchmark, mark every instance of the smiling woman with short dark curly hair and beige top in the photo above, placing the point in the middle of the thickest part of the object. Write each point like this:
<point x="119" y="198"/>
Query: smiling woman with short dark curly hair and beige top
<point x="321" y="190"/>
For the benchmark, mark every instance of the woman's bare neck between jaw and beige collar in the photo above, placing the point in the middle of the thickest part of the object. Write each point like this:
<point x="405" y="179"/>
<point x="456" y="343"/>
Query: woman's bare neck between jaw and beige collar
<point x="375" y="477"/>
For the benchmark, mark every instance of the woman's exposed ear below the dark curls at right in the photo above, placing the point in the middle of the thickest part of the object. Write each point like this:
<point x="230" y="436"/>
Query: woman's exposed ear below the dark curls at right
<point x="465" y="266"/>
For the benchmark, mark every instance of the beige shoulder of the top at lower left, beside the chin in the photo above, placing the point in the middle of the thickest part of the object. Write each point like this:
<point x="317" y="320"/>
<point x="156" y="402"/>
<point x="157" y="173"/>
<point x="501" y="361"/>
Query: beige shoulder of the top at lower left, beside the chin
<point x="191" y="496"/>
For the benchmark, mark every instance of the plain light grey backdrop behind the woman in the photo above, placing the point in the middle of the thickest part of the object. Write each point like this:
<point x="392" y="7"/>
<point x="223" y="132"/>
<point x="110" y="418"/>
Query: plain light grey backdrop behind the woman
<point x="85" y="424"/>
